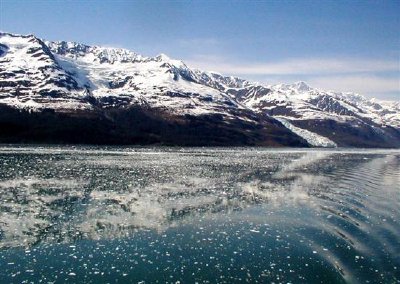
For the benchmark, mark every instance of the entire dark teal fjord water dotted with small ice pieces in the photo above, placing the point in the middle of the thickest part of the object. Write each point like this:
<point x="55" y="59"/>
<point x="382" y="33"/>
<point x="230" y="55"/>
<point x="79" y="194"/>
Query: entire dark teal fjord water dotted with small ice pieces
<point x="206" y="215"/>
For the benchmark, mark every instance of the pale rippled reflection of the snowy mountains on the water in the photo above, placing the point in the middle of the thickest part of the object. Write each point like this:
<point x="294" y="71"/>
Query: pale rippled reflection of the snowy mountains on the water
<point x="65" y="196"/>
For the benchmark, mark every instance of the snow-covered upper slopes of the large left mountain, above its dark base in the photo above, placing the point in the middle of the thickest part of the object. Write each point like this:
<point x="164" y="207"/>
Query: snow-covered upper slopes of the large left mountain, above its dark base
<point x="103" y="73"/>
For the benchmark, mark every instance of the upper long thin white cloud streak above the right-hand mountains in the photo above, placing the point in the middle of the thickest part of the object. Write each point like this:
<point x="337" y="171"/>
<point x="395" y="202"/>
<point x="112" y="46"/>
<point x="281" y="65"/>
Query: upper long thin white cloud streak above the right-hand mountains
<point x="301" y="66"/>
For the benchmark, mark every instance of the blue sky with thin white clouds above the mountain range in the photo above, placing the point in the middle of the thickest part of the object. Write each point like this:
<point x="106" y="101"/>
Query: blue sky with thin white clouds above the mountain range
<point x="334" y="45"/>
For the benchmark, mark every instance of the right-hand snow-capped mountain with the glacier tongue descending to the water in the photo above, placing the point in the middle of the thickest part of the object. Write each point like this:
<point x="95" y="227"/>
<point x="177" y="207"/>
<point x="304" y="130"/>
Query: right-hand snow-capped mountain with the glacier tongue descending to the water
<point x="344" y="118"/>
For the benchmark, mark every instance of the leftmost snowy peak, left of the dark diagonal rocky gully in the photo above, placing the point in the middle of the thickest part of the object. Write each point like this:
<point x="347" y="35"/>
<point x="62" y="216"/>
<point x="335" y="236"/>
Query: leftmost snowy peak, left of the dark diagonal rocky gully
<point x="30" y="73"/>
